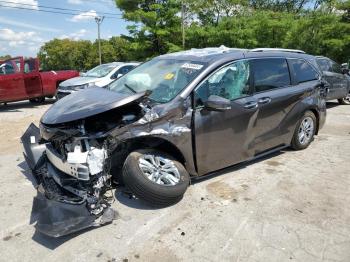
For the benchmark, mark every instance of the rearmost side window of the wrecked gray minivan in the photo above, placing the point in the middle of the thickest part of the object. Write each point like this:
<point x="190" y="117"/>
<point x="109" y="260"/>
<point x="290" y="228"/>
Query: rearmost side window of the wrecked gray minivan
<point x="303" y="71"/>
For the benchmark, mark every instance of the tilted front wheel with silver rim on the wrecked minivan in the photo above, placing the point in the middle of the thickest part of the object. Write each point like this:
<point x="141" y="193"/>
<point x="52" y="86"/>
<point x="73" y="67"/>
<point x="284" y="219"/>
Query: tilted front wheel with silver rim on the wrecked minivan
<point x="155" y="177"/>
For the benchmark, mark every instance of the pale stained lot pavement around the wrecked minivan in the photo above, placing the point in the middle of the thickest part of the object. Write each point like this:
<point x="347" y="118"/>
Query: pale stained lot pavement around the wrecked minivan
<point x="290" y="206"/>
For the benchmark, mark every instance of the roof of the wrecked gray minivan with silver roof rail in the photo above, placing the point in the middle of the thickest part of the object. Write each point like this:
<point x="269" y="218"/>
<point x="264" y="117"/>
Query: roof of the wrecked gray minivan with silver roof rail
<point x="208" y="55"/>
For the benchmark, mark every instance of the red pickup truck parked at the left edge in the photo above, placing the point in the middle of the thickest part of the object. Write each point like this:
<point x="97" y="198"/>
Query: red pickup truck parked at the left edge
<point x="20" y="79"/>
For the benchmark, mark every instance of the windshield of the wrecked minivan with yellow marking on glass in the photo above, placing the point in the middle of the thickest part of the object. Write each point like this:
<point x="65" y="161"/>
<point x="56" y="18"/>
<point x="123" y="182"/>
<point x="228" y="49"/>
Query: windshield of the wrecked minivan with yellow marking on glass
<point x="163" y="78"/>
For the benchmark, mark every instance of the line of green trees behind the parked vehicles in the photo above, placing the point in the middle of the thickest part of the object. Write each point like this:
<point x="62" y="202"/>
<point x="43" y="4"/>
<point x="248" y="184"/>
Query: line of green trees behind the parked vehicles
<point x="317" y="26"/>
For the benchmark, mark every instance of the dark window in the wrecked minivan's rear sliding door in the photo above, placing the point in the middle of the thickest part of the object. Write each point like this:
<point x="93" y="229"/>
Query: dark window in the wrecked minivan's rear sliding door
<point x="270" y="73"/>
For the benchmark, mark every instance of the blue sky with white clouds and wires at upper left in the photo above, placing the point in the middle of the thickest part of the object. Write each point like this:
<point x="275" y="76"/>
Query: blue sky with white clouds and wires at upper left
<point x="22" y="32"/>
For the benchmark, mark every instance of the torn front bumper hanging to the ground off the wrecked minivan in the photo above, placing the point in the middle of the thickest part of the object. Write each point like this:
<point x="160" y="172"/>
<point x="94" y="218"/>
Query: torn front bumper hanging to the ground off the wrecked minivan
<point x="63" y="204"/>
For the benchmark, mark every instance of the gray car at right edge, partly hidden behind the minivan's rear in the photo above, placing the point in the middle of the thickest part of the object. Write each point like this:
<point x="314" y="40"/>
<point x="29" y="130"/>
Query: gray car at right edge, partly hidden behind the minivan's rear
<point x="338" y="79"/>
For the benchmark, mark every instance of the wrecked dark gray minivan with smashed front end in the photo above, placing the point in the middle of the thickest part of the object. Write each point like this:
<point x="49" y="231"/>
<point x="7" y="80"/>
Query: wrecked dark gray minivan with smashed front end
<point x="177" y="116"/>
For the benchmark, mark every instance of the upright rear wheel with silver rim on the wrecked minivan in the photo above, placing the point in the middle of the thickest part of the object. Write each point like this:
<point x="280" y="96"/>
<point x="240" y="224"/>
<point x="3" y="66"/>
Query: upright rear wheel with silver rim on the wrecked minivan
<point x="304" y="132"/>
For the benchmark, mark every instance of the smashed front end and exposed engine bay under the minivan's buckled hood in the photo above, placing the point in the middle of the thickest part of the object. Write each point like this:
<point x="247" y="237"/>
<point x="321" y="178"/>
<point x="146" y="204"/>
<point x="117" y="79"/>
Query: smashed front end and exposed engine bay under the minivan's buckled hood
<point x="77" y="163"/>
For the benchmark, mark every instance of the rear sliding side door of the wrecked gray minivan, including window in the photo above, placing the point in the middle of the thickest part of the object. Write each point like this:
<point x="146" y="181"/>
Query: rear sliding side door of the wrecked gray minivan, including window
<point x="275" y="97"/>
